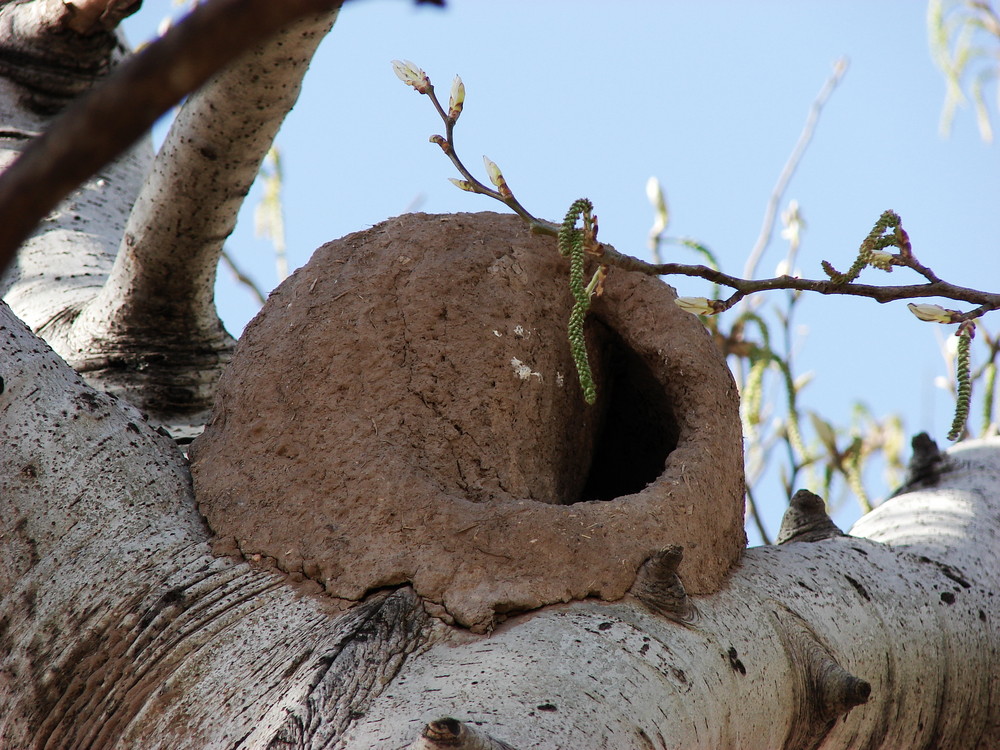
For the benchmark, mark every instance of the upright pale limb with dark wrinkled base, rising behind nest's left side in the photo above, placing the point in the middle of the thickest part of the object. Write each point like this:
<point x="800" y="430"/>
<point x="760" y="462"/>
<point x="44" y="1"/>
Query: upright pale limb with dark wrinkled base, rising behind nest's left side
<point x="152" y="333"/>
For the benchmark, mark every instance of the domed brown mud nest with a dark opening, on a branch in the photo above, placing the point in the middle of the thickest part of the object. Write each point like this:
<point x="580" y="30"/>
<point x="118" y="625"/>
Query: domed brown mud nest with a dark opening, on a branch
<point x="405" y="409"/>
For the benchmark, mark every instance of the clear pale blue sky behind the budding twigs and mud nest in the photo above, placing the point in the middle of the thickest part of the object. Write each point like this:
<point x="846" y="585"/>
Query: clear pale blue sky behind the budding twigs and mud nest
<point x="592" y="98"/>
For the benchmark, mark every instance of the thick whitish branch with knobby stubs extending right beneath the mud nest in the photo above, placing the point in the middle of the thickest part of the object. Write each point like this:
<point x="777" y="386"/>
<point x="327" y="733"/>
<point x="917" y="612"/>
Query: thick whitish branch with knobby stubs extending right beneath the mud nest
<point x="886" y="641"/>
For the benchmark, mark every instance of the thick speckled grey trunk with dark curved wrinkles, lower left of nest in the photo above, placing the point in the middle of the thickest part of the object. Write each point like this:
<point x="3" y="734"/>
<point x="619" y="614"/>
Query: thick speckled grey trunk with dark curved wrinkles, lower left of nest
<point x="120" y="628"/>
